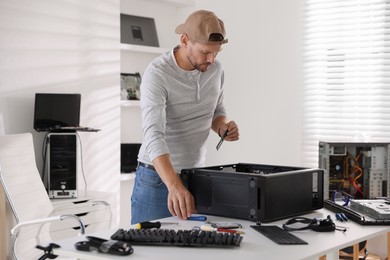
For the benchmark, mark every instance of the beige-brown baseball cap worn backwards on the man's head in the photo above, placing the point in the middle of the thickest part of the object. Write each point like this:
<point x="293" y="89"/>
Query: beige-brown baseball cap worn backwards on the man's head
<point x="202" y="24"/>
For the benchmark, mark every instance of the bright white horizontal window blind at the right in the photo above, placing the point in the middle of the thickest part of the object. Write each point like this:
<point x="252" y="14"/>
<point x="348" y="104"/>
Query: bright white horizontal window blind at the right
<point x="346" y="73"/>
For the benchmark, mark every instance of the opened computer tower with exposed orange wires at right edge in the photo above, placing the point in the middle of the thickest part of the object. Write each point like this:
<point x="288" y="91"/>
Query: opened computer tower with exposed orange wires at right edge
<point x="358" y="169"/>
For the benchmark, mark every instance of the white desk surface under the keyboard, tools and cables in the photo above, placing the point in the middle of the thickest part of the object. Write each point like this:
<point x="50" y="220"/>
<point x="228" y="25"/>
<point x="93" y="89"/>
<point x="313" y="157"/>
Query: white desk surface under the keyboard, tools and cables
<point x="253" y="246"/>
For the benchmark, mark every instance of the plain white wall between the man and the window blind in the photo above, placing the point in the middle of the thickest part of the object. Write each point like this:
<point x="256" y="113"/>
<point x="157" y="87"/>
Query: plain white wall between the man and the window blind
<point x="263" y="83"/>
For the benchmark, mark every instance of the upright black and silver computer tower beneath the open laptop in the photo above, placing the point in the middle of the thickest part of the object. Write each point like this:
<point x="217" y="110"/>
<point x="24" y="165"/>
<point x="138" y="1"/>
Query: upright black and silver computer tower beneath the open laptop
<point x="62" y="165"/>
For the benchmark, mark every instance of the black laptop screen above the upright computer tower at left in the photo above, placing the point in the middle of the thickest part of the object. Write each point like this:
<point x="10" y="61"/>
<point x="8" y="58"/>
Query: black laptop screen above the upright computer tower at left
<point x="55" y="110"/>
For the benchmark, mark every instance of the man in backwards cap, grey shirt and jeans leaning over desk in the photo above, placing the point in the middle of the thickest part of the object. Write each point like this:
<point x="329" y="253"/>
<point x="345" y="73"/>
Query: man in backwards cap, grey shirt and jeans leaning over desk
<point x="181" y="100"/>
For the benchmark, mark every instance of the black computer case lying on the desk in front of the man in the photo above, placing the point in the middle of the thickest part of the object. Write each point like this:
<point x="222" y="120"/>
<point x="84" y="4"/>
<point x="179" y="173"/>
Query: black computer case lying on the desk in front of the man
<point x="255" y="192"/>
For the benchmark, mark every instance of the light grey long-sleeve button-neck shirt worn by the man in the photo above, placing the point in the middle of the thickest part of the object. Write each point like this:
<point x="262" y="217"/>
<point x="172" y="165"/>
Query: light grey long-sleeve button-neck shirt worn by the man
<point x="178" y="108"/>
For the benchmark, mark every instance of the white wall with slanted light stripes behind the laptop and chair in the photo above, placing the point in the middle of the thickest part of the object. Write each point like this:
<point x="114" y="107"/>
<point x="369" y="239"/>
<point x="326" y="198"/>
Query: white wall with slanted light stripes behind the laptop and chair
<point x="65" y="46"/>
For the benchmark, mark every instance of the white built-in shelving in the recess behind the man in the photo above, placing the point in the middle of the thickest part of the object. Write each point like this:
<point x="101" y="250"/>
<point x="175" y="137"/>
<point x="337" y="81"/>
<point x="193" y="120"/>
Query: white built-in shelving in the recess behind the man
<point x="135" y="58"/>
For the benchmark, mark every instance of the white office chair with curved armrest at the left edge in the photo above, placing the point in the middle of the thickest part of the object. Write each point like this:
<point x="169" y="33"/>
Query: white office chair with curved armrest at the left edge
<point x="27" y="196"/>
